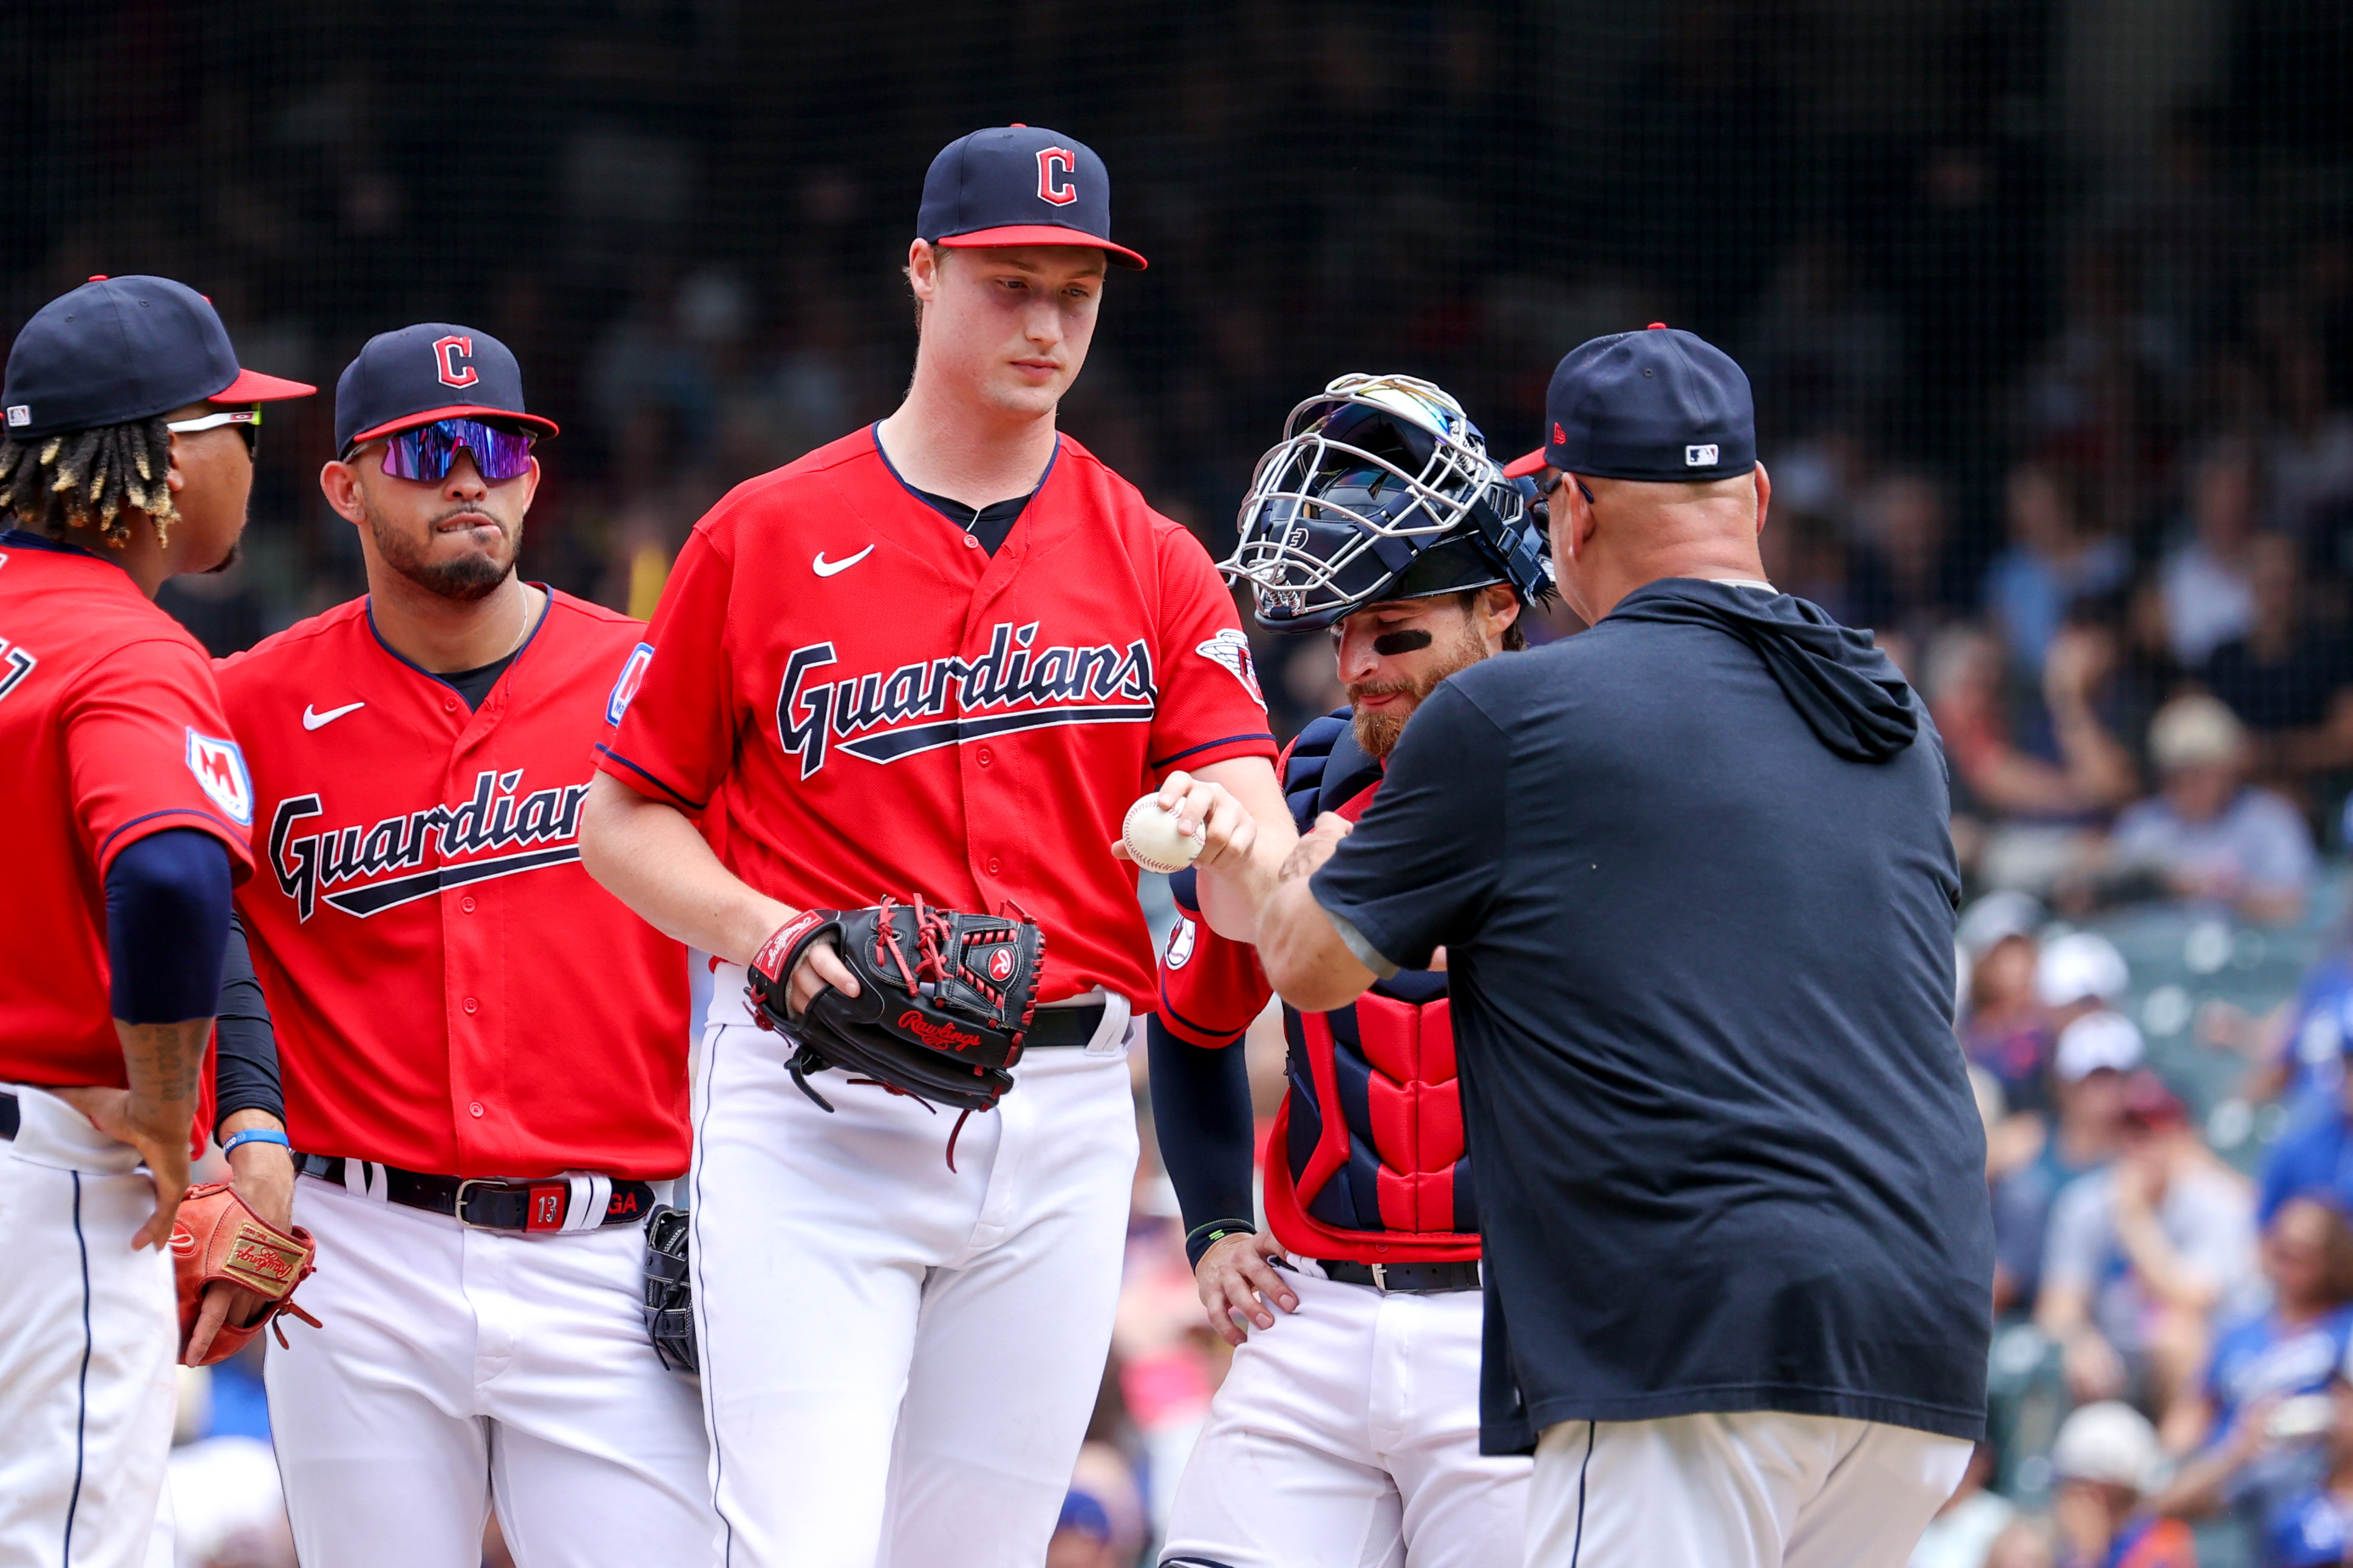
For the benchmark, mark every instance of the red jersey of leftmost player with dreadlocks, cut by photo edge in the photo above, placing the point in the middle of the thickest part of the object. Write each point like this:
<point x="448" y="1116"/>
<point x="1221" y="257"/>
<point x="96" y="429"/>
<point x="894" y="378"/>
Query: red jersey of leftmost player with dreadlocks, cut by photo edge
<point x="112" y="730"/>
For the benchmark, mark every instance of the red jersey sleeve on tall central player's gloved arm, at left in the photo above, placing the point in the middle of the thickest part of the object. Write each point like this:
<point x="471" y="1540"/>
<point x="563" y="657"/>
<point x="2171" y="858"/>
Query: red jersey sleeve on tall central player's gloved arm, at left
<point x="672" y="718"/>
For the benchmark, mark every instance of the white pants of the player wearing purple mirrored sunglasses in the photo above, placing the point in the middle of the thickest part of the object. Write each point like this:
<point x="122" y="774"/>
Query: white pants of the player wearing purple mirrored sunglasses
<point x="469" y="1369"/>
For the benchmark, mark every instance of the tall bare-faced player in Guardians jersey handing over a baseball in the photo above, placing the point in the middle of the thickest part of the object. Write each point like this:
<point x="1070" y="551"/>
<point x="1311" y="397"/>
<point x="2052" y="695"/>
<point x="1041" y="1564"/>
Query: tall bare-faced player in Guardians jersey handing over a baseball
<point x="935" y="659"/>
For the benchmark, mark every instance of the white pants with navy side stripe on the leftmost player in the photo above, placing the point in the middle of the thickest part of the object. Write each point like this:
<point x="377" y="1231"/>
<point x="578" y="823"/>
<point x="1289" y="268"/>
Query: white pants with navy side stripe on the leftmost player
<point x="88" y="1339"/>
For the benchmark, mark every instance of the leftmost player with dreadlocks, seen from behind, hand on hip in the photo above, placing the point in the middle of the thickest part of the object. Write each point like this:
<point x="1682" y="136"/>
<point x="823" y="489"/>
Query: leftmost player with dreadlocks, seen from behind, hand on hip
<point x="126" y="457"/>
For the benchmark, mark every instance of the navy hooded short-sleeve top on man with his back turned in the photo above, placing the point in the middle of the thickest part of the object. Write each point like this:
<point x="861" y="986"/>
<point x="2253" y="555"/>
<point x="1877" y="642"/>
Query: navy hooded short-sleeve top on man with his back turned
<point x="1695" y="883"/>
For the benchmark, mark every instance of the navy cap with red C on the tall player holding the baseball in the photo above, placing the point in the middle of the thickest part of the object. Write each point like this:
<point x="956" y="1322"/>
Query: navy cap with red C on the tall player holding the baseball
<point x="1020" y="185"/>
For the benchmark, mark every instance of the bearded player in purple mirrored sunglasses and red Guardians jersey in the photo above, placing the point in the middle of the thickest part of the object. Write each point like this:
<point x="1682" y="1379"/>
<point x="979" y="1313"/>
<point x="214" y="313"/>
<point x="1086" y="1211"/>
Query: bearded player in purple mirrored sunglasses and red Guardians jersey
<point x="484" y="1050"/>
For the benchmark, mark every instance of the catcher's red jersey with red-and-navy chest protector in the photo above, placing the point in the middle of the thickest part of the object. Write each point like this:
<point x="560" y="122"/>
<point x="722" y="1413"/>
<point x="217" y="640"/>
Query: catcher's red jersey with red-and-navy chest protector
<point x="1368" y="1153"/>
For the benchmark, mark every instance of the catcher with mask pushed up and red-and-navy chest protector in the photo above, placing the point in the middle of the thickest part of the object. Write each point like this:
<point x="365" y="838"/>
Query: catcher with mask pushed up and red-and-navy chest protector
<point x="1347" y="1433"/>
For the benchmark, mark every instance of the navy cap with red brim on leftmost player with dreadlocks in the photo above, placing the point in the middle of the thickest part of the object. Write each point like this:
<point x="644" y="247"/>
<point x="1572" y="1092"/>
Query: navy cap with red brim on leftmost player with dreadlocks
<point x="124" y="349"/>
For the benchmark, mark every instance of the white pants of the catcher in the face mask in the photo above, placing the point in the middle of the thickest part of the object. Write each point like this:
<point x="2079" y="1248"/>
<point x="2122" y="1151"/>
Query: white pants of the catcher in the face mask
<point x="1347" y="1438"/>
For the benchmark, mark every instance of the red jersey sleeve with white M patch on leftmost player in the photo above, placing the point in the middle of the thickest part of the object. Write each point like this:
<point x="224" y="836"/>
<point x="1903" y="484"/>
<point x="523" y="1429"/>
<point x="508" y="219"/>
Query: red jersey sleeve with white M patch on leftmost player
<point x="147" y="749"/>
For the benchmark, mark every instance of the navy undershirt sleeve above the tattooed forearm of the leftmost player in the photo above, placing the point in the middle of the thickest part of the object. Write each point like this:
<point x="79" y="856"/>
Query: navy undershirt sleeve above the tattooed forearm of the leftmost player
<point x="168" y="925"/>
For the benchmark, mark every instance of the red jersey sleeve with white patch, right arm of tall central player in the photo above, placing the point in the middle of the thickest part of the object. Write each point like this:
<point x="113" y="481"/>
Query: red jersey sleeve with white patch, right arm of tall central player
<point x="1211" y="702"/>
